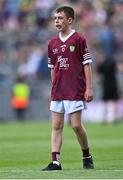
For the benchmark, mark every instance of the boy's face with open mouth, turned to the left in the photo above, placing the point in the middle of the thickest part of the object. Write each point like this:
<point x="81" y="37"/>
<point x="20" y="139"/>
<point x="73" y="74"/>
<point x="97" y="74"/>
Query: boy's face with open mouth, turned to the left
<point x="62" y="22"/>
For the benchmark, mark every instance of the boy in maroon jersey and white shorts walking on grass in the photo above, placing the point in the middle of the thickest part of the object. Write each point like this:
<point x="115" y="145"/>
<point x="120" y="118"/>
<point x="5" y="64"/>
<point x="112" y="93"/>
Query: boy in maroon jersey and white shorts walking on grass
<point x="69" y="60"/>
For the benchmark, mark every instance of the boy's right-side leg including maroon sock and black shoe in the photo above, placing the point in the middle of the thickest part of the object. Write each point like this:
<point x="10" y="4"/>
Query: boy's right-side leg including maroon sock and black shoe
<point x="81" y="134"/>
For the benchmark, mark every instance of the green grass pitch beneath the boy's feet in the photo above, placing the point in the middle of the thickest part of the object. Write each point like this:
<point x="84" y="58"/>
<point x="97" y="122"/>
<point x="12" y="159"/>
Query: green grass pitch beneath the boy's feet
<point x="25" y="150"/>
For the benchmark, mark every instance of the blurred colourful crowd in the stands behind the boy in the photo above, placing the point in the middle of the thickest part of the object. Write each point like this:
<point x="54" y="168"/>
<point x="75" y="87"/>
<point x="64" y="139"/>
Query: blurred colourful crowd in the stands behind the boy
<point x="26" y="26"/>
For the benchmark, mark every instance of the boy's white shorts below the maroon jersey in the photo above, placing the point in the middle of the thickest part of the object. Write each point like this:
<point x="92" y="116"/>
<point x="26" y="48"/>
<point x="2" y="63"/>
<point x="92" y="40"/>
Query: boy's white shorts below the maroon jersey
<point x="66" y="106"/>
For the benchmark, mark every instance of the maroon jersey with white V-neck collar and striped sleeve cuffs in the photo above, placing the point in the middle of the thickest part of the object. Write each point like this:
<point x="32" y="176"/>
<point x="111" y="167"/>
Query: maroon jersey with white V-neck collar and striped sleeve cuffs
<point x="67" y="57"/>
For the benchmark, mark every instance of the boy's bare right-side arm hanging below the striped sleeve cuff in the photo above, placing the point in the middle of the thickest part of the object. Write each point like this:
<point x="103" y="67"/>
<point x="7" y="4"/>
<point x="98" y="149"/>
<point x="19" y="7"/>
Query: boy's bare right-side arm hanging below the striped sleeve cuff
<point x="89" y="89"/>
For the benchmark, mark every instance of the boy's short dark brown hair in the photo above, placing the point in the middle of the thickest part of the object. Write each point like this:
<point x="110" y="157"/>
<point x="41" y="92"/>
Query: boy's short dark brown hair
<point x="69" y="11"/>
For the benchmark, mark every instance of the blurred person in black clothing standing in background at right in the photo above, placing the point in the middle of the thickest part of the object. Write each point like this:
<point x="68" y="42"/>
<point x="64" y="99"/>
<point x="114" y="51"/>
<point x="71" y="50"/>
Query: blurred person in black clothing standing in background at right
<point x="108" y="71"/>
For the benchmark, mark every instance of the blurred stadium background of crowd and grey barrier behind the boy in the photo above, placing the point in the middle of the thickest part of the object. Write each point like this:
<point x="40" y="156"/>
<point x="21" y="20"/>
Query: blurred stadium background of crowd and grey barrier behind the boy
<point x="25" y="28"/>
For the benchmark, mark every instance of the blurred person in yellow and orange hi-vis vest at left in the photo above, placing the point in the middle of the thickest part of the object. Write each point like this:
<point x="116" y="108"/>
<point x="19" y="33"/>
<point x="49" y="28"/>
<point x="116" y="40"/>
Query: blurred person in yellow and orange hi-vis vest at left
<point x="20" y="98"/>
